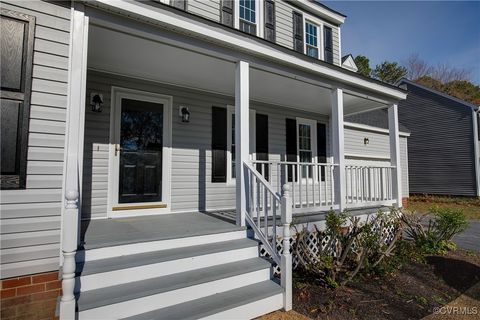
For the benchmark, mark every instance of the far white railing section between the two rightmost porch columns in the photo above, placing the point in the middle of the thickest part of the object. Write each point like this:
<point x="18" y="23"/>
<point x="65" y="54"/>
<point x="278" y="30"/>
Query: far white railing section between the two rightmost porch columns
<point x="369" y="185"/>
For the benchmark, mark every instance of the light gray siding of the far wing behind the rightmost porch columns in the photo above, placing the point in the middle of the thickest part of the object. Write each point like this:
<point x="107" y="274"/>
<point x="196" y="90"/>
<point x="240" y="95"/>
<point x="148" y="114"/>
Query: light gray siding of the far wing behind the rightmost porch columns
<point x="377" y="152"/>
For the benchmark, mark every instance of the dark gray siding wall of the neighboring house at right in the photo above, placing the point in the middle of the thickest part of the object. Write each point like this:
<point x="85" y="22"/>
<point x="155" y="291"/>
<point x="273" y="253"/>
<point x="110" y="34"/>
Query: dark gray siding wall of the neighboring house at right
<point x="441" y="153"/>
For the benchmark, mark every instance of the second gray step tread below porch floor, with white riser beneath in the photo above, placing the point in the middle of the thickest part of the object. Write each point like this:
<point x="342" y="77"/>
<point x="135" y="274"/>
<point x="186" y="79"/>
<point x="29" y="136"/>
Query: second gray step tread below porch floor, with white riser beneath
<point x="143" y="296"/>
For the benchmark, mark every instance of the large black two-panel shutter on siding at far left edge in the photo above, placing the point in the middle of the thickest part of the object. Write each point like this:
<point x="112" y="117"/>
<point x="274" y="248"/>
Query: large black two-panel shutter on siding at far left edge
<point x="16" y="80"/>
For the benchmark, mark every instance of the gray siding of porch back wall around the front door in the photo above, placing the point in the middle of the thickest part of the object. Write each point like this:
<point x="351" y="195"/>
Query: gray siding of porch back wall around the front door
<point x="191" y="185"/>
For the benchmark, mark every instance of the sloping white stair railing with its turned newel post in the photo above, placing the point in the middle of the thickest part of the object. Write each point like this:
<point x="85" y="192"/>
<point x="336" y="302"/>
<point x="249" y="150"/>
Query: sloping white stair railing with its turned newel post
<point x="264" y="207"/>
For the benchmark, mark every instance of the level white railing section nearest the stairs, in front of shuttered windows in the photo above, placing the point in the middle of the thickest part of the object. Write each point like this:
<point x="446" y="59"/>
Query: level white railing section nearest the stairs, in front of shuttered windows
<point x="312" y="184"/>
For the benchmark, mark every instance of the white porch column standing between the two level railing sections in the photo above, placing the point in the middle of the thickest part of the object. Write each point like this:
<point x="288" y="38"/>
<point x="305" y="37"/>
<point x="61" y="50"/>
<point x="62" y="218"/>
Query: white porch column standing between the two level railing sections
<point x="338" y="147"/>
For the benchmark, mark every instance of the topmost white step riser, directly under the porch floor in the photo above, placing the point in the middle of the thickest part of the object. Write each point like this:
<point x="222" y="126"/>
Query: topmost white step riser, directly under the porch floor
<point x="134" y="248"/>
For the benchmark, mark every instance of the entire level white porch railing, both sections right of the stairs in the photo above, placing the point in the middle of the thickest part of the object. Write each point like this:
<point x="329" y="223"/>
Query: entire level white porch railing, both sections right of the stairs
<point x="313" y="185"/>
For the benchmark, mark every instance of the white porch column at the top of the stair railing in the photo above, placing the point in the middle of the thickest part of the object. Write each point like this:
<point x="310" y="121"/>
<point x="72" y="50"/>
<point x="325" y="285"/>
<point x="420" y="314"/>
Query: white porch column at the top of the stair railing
<point x="242" y="140"/>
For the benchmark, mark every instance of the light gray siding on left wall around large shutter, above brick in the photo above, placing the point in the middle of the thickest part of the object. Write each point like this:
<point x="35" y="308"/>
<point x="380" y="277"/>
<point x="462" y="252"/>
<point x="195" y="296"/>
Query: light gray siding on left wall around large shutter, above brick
<point x="30" y="218"/>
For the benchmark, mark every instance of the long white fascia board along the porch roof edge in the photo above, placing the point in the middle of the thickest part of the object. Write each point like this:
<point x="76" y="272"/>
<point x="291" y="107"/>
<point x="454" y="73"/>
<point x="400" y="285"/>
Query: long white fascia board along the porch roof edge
<point x="214" y="34"/>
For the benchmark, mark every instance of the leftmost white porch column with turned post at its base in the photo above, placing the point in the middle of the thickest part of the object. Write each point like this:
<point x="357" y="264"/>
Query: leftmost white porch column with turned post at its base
<point x="74" y="139"/>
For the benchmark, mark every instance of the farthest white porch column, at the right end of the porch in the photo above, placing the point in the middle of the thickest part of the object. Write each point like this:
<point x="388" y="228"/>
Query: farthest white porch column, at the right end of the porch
<point x="395" y="153"/>
